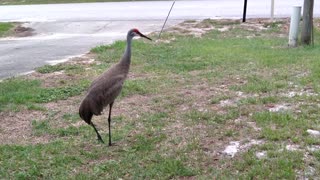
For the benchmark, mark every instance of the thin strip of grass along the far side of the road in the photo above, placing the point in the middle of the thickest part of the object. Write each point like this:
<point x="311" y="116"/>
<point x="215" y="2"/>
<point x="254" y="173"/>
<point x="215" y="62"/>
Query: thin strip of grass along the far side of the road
<point x="21" y="2"/>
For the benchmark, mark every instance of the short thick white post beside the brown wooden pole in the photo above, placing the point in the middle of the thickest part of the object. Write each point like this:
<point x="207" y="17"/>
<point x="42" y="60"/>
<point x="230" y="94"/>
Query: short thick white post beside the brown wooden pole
<point x="294" y="26"/>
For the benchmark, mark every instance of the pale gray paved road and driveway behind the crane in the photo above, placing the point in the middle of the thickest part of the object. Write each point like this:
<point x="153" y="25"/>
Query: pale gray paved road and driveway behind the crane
<point x="66" y="30"/>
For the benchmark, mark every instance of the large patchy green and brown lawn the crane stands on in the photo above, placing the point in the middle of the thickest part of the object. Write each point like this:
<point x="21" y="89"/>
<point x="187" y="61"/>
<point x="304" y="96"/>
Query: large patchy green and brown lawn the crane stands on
<point x="231" y="103"/>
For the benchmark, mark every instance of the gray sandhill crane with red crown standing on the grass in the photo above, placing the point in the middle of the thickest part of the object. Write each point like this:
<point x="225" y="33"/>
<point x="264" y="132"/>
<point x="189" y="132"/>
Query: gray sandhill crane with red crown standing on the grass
<point x="105" y="89"/>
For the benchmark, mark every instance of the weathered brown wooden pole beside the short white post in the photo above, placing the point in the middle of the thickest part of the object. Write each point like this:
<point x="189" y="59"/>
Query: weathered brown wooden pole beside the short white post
<point x="307" y="22"/>
